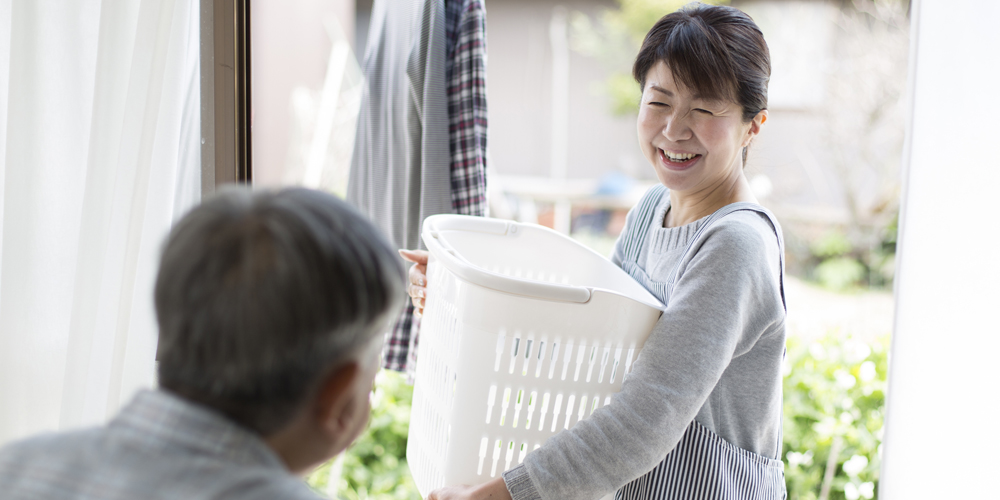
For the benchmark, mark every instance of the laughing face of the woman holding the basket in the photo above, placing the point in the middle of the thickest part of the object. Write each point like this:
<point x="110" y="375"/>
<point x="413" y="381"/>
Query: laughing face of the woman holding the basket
<point x="694" y="145"/>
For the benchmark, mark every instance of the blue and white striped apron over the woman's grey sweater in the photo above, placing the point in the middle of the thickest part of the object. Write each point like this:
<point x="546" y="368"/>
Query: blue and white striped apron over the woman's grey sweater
<point x="702" y="465"/>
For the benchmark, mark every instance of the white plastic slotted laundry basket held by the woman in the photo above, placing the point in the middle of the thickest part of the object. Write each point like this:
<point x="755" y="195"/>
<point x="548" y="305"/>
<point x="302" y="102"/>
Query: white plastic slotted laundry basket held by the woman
<point x="525" y="333"/>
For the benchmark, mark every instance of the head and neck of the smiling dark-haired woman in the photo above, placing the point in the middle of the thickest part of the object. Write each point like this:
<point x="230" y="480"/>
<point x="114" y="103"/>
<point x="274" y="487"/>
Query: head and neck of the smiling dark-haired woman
<point x="704" y="98"/>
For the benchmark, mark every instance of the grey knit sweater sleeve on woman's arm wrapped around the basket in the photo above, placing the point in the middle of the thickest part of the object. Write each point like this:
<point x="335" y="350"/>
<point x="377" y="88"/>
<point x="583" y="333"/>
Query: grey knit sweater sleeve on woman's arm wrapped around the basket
<point x="716" y="311"/>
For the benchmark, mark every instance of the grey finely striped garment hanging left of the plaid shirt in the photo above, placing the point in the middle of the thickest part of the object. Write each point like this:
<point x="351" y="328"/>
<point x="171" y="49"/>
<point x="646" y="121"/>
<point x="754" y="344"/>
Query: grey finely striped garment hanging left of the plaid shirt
<point x="400" y="171"/>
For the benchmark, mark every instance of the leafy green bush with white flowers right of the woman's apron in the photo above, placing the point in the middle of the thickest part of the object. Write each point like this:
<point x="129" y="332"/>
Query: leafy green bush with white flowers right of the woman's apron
<point x="834" y="412"/>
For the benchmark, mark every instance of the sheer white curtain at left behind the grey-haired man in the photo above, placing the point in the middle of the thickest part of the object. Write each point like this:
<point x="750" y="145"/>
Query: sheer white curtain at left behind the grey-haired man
<point x="99" y="153"/>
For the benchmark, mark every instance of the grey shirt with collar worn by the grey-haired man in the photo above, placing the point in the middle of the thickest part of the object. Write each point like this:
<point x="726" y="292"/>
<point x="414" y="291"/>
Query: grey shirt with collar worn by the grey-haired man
<point x="159" y="447"/>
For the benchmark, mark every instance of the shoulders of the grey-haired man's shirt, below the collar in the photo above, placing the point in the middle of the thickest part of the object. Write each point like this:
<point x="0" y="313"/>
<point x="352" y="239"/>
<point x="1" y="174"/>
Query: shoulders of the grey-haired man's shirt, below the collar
<point x="98" y="463"/>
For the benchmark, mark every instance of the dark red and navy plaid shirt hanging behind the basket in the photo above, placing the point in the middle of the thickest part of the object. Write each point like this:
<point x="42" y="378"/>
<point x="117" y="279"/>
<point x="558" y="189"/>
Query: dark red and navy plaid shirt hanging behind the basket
<point x="465" y="34"/>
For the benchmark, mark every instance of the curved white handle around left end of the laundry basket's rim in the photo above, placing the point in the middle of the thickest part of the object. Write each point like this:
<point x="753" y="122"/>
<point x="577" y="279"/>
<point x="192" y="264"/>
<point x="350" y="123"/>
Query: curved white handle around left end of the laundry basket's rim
<point x="485" y="278"/>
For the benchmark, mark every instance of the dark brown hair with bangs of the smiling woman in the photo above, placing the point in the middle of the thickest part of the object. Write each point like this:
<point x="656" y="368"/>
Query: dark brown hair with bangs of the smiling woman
<point x="717" y="51"/>
